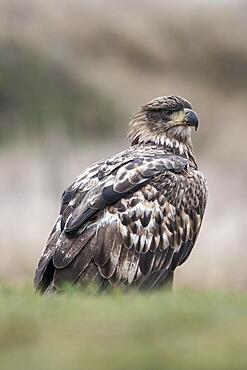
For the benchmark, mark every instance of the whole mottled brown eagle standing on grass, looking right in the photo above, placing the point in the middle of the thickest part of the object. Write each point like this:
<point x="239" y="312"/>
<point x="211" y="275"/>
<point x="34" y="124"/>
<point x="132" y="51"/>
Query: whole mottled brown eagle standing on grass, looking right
<point x="130" y="220"/>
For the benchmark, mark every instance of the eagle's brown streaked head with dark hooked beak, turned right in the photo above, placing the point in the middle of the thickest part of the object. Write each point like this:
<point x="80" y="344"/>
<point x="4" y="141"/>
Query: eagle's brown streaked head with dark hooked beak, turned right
<point x="165" y="117"/>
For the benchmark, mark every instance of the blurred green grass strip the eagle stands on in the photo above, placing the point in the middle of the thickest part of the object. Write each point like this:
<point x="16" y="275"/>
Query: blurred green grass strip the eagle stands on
<point x="183" y="330"/>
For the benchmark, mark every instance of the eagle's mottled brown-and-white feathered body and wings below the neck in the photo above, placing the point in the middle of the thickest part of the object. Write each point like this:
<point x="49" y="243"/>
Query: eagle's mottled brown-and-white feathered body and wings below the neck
<point x="129" y="219"/>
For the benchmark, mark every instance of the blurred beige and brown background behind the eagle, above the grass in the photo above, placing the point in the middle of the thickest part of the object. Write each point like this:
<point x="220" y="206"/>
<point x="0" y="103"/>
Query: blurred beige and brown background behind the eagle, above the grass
<point x="72" y="73"/>
